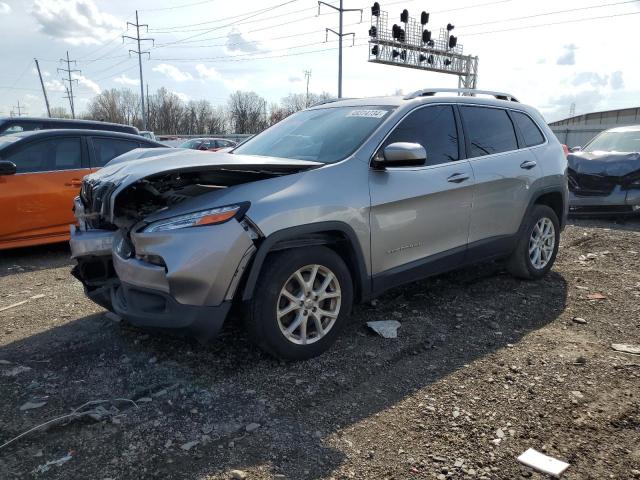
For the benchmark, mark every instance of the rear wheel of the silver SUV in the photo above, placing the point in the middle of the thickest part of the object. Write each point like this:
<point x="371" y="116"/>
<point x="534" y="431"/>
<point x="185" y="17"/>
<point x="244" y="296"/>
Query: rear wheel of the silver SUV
<point x="538" y="246"/>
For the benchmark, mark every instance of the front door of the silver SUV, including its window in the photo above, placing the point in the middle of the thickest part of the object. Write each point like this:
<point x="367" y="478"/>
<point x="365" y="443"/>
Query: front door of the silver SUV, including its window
<point x="420" y="215"/>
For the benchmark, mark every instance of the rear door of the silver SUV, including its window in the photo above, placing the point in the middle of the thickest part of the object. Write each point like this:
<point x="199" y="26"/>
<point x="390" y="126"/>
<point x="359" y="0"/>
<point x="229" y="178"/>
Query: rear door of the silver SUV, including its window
<point x="504" y="172"/>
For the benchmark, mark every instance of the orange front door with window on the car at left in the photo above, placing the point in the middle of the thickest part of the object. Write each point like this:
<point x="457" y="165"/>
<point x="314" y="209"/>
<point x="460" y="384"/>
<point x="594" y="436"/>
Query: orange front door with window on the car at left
<point x="36" y="203"/>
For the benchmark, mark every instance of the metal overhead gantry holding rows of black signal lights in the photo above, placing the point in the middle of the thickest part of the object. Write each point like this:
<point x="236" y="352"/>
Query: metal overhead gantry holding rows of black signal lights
<point x="414" y="47"/>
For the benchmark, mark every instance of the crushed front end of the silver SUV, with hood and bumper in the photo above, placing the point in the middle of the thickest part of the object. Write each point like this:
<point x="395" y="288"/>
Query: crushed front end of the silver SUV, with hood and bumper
<point x="162" y="269"/>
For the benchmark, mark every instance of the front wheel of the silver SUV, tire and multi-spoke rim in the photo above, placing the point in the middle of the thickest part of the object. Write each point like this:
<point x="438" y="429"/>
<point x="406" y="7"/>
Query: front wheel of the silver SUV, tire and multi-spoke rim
<point x="268" y="329"/>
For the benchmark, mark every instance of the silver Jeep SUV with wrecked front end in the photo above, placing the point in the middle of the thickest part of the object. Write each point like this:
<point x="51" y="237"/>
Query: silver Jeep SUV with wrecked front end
<point x="332" y="205"/>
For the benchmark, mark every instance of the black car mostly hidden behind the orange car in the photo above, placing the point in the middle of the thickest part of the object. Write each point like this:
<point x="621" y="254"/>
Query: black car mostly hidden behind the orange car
<point x="12" y="125"/>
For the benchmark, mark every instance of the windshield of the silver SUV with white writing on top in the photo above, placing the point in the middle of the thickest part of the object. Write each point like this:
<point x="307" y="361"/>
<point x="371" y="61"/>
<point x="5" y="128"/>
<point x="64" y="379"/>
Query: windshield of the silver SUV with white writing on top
<point x="325" y="135"/>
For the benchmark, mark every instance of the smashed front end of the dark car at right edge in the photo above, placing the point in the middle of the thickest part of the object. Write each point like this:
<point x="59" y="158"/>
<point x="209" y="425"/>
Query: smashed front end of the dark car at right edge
<point x="604" y="183"/>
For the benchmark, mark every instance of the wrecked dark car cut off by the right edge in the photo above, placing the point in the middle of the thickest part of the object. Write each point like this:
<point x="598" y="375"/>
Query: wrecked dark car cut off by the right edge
<point x="604" y="175"/>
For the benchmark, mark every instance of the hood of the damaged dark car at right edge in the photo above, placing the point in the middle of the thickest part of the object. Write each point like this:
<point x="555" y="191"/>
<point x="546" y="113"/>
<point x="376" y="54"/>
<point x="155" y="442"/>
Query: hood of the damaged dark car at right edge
<point x="605" y="164"/>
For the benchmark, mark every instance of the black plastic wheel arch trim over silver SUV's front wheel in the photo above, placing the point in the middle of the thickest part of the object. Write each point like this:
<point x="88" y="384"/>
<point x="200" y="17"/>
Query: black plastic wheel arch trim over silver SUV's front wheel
<point x="336" y="235"/>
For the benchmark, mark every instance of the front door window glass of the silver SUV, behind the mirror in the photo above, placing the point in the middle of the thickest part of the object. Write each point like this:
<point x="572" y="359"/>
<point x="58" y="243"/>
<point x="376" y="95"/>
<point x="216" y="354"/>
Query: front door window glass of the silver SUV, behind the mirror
<point x="434" y="128"/>
